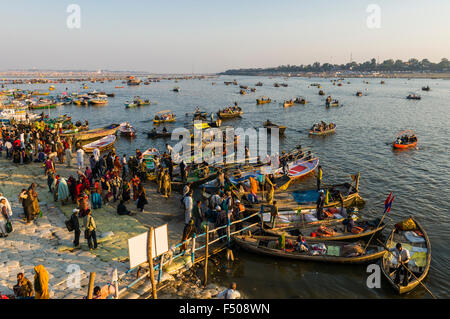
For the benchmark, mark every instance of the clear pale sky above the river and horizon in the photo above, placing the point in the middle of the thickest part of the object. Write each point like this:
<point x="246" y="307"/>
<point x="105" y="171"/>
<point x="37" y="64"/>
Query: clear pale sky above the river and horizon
<point x="184" y="36"/>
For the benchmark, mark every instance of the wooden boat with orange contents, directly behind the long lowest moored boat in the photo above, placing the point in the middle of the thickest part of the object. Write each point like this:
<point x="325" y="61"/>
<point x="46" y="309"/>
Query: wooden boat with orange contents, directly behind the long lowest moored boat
<point x="330" y="232"/>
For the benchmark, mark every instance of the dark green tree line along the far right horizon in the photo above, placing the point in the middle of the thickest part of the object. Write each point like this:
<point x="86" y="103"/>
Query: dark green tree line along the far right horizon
<point x="412" y="65"/>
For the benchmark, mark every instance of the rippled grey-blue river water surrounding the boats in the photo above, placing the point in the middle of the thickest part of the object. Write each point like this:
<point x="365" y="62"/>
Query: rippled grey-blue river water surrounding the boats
<point x="365" y="126"/>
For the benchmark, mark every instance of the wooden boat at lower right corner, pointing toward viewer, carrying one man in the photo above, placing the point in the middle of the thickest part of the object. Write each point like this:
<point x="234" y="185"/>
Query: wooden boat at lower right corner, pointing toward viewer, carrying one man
<point x="419" y="248"/>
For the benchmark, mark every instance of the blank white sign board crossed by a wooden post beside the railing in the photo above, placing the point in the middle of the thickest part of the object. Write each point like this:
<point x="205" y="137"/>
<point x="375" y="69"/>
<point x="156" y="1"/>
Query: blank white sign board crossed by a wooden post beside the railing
<point x="137" y="246"/>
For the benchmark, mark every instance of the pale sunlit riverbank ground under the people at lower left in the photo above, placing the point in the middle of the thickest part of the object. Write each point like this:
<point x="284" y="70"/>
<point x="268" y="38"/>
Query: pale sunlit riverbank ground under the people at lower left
<point x="46" y="240"/>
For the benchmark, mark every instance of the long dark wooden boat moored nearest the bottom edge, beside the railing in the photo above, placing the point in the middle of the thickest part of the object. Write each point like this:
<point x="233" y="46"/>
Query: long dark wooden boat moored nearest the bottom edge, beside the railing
<point x="332" y="252"/>
